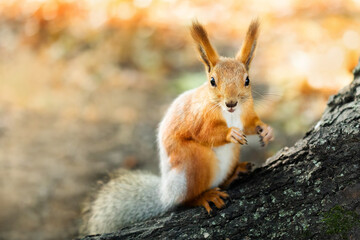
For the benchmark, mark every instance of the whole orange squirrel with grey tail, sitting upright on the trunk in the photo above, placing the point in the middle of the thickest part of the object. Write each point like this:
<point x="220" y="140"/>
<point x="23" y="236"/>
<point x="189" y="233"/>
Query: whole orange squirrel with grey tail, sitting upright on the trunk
<point x="199" y="143"/>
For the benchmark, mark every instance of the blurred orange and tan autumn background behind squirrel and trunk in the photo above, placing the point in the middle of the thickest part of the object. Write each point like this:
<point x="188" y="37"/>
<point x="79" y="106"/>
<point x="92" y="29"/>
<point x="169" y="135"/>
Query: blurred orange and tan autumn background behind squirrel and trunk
<point x="84" y="84"/>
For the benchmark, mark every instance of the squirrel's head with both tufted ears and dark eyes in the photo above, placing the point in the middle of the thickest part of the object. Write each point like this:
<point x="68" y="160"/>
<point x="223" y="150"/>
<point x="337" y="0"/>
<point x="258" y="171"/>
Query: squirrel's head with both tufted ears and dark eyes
<point x="228" y="79"/>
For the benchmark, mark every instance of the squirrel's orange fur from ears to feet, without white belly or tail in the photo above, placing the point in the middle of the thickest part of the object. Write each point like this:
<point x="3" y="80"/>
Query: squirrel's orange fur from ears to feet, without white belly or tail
<point x="195" y="123"/>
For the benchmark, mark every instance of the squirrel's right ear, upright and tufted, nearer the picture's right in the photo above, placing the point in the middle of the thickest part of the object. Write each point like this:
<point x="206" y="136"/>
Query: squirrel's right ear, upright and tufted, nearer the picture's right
<point x="246" y="52"/>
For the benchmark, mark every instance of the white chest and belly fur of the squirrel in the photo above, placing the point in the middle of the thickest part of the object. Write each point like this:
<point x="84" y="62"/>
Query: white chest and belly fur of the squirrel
<point x="225" y="153"/>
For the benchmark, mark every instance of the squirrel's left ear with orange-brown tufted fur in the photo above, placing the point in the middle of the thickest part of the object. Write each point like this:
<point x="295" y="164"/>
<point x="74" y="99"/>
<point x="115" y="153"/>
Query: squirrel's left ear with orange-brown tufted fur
<point x="207" y="53"/>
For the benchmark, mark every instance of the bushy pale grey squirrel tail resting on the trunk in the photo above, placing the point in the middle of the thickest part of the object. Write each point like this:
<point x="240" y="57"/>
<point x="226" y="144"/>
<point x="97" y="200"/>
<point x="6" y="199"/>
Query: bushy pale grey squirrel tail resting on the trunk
<point x="129" y="197"/>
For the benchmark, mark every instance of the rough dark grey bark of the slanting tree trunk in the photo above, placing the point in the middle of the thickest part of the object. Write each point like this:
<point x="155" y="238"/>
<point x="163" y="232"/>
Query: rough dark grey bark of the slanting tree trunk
<point x="308" y="191"/>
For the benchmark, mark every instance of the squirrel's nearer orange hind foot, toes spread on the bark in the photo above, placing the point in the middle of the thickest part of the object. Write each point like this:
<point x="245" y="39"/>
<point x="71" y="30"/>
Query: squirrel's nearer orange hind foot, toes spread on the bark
<point x="212" y="195"/>
